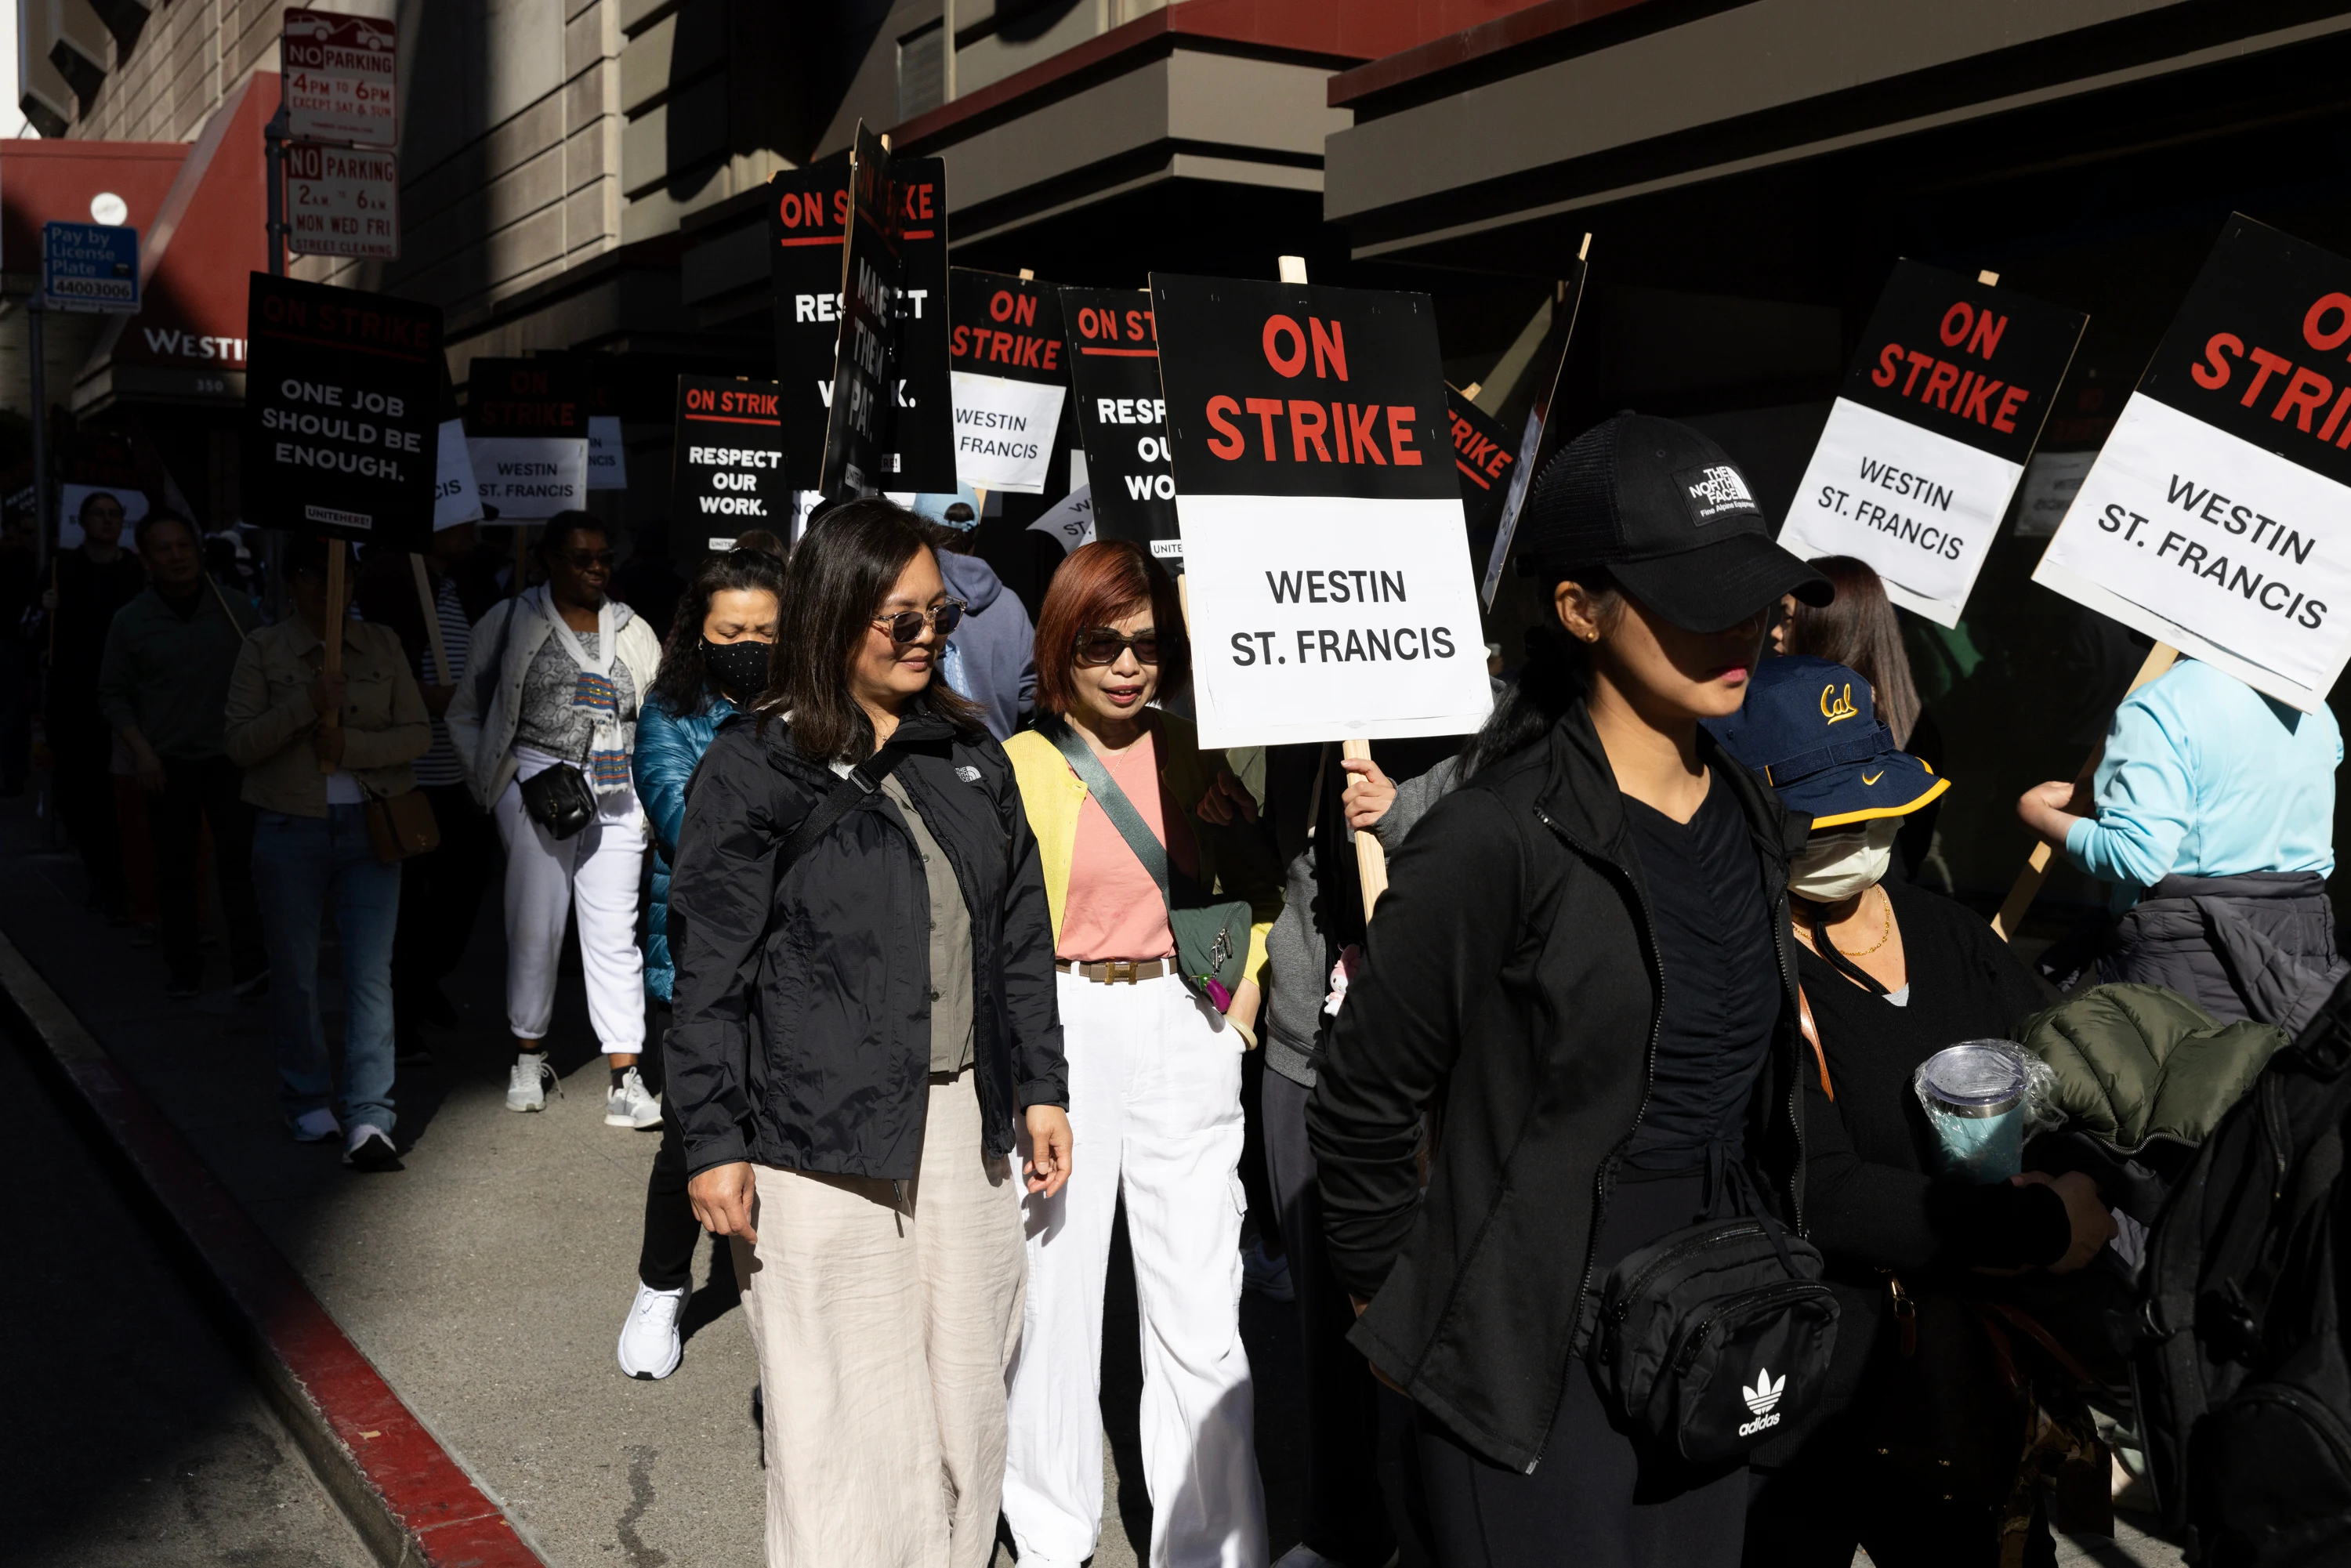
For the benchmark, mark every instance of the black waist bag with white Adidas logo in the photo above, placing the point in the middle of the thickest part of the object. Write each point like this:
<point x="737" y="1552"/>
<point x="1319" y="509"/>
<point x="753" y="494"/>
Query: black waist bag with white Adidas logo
<point x="1717" y="1339"/>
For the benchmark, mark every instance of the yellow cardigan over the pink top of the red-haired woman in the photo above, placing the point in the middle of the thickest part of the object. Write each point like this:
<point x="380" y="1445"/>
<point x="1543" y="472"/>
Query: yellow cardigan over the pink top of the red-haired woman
<point x="1231" y="859"/>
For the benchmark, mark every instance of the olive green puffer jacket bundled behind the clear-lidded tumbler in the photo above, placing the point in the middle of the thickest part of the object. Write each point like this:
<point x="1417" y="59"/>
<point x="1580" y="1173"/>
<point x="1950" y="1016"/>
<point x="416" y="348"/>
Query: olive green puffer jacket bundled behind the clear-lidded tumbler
<point x="2138" y="1064"/>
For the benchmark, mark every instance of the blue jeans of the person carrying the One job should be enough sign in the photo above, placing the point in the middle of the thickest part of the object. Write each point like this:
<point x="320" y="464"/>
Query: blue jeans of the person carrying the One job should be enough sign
<point x="300" y="864"/>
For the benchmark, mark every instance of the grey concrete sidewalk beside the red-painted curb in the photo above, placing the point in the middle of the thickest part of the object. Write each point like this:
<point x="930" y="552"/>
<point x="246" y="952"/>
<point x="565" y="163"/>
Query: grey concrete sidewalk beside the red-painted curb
<point x="488" y="1280"/>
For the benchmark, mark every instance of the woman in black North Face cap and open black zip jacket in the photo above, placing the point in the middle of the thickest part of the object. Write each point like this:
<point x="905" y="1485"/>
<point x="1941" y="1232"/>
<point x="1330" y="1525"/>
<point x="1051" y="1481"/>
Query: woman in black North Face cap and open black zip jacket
<point x="1583" y="967"/>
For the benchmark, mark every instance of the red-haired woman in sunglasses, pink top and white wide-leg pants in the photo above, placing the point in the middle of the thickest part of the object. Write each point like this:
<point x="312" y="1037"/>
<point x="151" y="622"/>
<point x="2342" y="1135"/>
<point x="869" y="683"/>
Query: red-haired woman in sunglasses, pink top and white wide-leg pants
<point x="1111" y="789"/>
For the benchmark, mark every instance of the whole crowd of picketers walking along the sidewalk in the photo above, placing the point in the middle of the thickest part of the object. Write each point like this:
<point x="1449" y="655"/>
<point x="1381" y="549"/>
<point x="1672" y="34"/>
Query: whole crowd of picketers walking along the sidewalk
<point x="1623" y="1174"/>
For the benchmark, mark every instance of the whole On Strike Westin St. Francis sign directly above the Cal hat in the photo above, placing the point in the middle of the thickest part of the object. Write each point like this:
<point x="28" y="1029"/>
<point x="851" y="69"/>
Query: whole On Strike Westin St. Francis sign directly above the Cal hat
<point x="1931" y="434"/>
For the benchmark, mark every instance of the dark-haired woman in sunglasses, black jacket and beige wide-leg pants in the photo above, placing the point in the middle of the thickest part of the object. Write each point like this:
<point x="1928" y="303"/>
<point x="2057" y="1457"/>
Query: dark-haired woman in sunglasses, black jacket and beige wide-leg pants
<point x="864" y="1024"/>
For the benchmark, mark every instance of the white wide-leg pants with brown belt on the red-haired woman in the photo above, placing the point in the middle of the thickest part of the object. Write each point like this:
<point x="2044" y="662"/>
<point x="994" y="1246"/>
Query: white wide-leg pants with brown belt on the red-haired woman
<point x="1156" y="1108"/>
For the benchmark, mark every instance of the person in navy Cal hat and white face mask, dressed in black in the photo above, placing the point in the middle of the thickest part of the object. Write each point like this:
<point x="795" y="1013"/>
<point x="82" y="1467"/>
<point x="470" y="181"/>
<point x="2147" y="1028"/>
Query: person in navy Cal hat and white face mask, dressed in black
<point x="1891" y="974"/>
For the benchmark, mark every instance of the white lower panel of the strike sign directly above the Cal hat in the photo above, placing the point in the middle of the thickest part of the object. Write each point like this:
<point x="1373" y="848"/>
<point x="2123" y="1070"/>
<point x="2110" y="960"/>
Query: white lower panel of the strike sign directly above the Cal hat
<point x="1910" y="502"/>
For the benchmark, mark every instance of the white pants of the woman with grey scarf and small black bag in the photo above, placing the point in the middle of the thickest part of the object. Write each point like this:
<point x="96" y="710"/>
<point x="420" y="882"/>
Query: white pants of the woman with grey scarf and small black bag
<point x="596" y="876"/>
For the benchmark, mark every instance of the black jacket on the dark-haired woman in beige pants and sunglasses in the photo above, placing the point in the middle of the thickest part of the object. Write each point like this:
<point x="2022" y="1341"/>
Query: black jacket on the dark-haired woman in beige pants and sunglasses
<point x="803" y="1005"/>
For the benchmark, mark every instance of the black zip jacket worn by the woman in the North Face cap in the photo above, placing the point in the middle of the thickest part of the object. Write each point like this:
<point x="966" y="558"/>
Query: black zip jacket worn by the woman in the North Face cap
<point x="1513" y="979"/>
